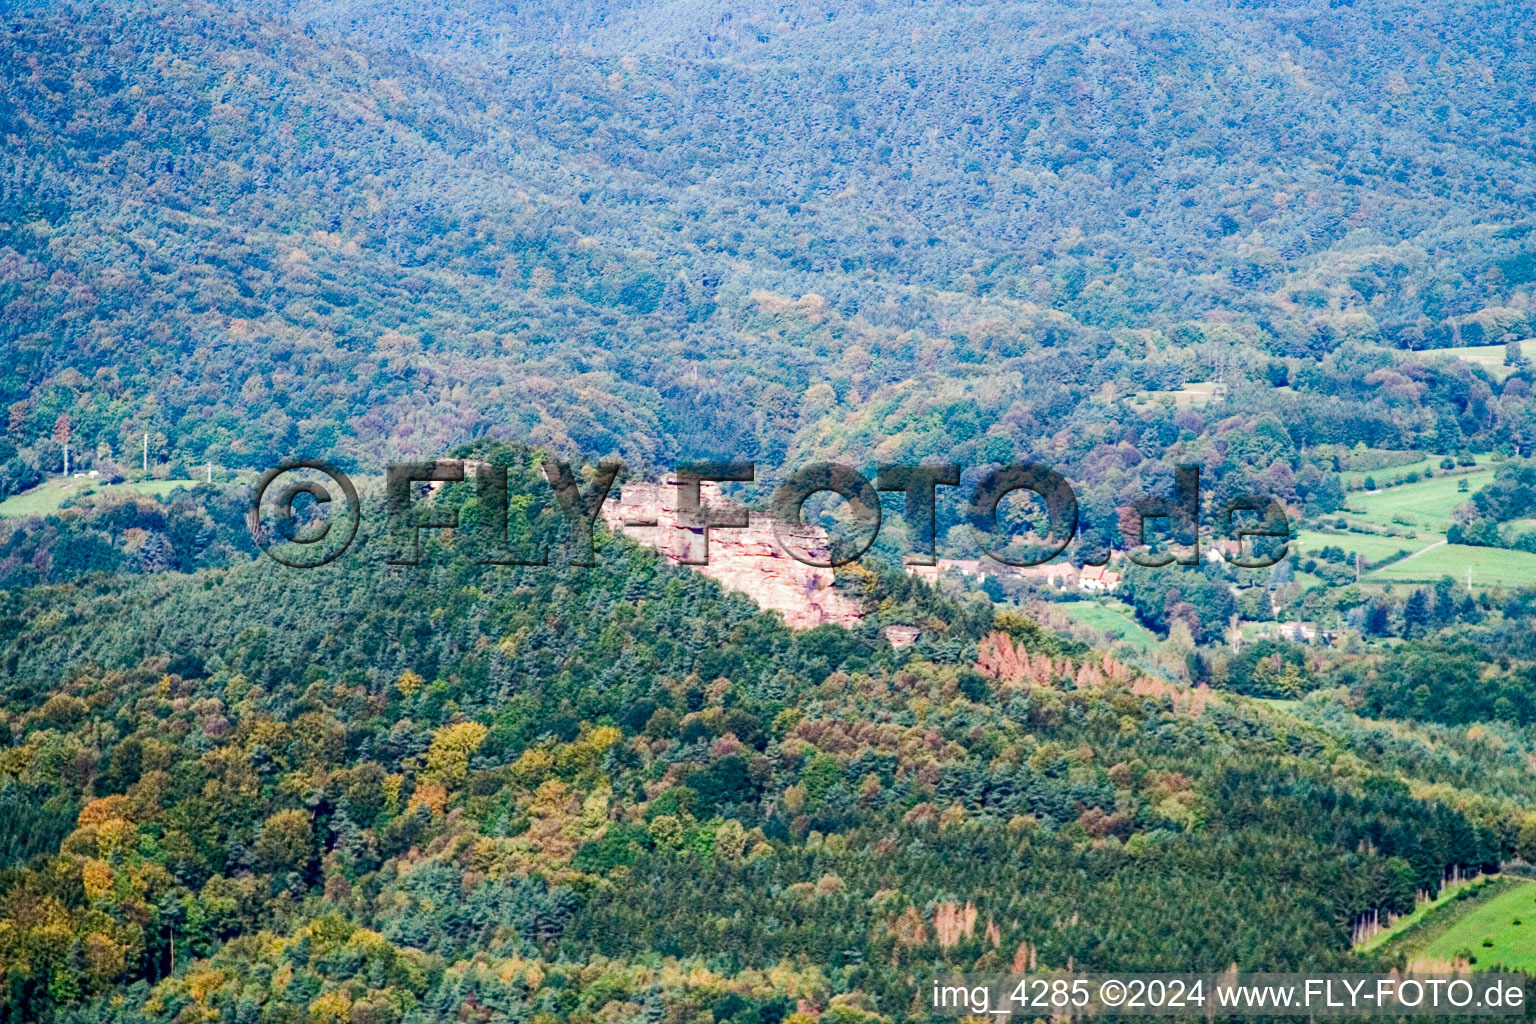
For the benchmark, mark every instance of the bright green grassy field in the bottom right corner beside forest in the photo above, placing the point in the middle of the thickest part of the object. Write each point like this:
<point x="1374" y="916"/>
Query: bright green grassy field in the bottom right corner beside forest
<point x="1498" y="927"/>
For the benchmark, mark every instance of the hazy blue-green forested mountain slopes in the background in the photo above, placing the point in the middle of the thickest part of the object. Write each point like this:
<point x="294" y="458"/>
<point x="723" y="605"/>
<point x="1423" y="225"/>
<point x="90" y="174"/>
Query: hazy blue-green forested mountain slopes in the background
<point x="669" y="233"/>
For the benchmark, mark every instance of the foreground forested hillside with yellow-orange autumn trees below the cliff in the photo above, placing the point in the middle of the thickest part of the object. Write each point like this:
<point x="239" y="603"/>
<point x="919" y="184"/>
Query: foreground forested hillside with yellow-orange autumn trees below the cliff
<point x="379" y="794"/>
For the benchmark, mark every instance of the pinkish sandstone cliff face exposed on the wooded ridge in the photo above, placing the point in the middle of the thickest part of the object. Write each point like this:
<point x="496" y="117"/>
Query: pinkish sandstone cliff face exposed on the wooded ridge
<point x="747" y="560"/>
